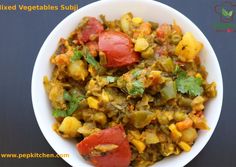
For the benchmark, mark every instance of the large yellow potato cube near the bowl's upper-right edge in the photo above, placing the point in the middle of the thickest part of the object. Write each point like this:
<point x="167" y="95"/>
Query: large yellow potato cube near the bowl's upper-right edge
<point x="188" y="48"/>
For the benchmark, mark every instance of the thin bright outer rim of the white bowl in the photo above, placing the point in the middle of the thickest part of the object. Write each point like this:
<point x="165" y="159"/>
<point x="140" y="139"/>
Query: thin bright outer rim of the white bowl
<point x="182" y="163"/>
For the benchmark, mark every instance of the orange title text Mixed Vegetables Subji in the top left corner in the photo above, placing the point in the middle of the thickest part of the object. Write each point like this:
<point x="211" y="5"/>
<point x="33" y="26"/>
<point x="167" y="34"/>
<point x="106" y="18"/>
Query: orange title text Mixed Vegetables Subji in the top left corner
<point x="44" y="7"/>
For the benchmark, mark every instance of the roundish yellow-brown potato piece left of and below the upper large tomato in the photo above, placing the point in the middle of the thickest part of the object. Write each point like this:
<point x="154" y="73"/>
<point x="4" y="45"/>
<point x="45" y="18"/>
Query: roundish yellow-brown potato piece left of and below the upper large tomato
<point x="78" y="70"/>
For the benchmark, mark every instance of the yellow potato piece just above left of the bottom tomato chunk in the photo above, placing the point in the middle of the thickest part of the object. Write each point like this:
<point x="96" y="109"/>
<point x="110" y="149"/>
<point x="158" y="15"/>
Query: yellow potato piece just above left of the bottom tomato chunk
<point x="69" y="127"/>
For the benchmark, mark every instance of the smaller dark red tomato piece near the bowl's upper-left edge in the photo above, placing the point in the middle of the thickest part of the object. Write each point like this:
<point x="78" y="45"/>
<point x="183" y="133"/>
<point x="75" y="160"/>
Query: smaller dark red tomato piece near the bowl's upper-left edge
<point x="91" y="30"/>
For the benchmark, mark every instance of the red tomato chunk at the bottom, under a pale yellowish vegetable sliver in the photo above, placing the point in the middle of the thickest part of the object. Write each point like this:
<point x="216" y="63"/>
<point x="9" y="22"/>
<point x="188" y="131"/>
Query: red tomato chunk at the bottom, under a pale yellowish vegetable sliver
<point x="119" y="157"/>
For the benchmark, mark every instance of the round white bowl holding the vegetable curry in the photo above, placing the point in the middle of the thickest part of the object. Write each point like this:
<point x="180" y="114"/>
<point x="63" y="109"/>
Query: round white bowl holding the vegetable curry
<point x="149" y="10"/>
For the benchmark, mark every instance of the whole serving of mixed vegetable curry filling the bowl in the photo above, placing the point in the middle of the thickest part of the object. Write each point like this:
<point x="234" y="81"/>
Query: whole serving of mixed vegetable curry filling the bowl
<point x="130" y="91"/>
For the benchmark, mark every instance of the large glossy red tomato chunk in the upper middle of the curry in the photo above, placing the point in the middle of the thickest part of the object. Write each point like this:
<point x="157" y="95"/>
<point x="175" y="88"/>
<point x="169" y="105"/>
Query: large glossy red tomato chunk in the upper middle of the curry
<point x="118" y="49"/>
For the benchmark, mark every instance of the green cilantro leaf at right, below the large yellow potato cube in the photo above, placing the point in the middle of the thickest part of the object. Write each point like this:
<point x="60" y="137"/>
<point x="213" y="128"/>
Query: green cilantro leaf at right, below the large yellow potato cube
<point x="188" y="84"/>
